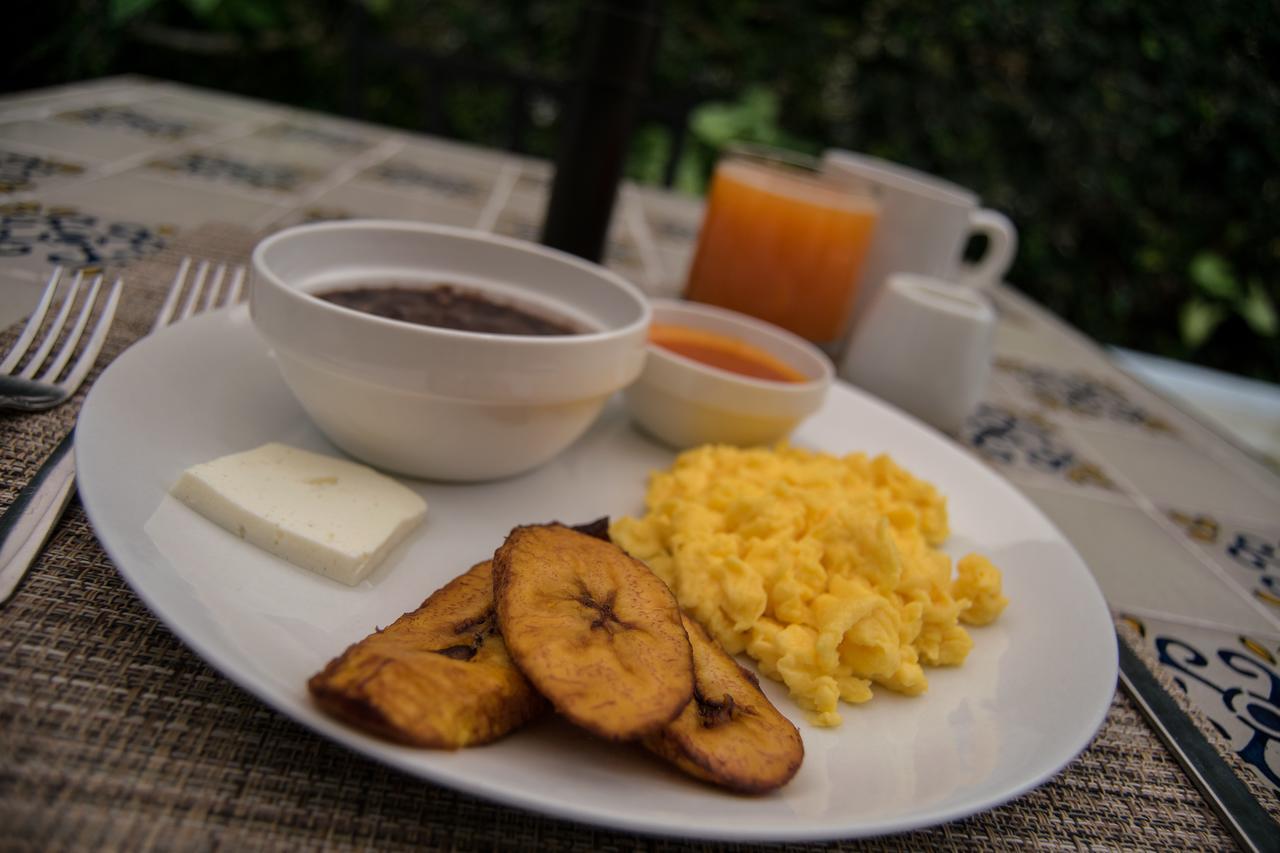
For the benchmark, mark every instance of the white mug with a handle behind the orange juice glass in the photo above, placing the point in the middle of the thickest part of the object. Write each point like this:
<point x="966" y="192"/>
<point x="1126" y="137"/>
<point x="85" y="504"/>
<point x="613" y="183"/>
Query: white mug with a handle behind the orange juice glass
<point x="925" y="223"/>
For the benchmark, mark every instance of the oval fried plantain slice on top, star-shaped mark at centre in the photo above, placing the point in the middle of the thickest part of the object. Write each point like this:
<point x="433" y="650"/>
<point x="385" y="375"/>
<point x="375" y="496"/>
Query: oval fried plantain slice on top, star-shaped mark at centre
<point x="595" y="630"/>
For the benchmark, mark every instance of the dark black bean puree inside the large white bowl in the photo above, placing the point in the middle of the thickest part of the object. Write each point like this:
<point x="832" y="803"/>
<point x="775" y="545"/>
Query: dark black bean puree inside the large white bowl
<point x="449" y="308"/>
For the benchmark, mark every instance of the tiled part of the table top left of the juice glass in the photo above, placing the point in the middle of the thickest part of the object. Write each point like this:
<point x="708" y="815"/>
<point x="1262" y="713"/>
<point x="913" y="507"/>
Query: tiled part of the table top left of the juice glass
<point x="108" y="171"/>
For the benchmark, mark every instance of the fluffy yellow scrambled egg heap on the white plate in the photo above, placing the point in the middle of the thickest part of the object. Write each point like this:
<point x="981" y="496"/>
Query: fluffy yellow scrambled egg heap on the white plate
<point x="826" y="571"/>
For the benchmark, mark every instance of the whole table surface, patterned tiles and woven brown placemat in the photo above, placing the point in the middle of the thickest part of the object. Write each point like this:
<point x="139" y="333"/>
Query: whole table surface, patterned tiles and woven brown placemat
<point x="113" y="735"/>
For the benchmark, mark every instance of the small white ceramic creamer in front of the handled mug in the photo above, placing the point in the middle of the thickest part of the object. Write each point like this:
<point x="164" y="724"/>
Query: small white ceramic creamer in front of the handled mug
<point x="925" y="346"/>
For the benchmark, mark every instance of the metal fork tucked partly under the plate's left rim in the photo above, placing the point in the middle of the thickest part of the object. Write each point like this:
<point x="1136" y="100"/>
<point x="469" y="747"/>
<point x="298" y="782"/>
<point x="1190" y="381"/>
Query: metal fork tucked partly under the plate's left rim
<point x="34" y="514"/>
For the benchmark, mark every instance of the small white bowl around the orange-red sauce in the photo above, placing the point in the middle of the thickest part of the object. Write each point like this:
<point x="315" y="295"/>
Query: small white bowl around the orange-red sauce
<point x="685" y="403"/>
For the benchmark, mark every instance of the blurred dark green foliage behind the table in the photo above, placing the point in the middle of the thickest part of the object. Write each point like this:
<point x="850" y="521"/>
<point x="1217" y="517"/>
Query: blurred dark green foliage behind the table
<point x="1135" y="144"/>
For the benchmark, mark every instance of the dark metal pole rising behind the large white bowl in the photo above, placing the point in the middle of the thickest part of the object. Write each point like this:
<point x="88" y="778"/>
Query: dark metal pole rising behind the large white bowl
<point x="593" y="147"/>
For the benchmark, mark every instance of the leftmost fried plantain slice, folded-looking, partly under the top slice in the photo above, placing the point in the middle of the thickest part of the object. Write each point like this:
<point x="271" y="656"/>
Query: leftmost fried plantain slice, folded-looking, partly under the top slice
<point x="438" y="677"/>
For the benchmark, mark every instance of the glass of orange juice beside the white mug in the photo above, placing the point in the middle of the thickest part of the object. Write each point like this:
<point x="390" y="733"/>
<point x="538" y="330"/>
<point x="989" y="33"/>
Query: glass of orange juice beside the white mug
<point x="783" y="244"/>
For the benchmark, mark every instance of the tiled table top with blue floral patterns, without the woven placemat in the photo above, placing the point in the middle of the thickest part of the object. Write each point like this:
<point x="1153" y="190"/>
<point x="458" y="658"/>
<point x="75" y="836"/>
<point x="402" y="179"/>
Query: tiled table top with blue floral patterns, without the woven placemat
<point x="1181" y="528"/>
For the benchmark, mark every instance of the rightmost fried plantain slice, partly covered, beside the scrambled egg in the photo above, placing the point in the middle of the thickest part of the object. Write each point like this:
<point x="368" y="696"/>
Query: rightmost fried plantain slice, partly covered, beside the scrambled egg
<point x="730" y="735"/>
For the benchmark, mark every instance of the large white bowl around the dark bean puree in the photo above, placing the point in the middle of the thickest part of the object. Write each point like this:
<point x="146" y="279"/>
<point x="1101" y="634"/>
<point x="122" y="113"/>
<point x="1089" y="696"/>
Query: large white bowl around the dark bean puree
<point x="437" y="403"/>
